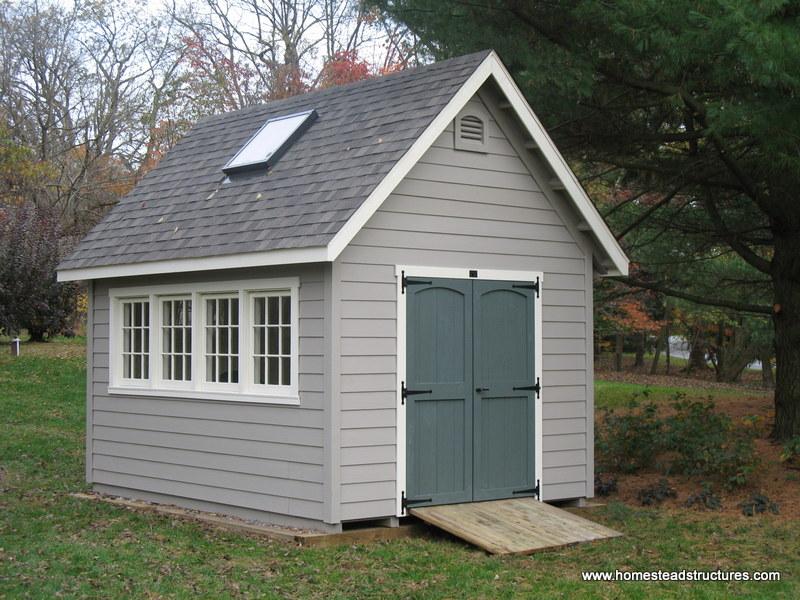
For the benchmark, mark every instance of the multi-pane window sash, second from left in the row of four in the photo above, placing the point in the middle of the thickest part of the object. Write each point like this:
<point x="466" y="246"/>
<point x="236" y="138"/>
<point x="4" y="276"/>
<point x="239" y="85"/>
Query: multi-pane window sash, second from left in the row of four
<point x="176" y="336"/>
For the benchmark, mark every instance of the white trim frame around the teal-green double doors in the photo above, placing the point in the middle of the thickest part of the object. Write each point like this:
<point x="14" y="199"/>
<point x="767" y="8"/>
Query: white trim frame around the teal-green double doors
<point x="451" y="273"/>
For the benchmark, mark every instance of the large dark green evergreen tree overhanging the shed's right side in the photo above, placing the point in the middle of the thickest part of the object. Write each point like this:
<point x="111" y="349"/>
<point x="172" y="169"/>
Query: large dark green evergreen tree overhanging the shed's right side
<point x="696" y="102"/>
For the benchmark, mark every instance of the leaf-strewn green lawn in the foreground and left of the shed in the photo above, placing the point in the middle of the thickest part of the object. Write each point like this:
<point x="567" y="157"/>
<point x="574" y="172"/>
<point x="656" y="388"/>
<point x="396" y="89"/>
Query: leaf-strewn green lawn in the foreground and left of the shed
<point x="52" y="545"/>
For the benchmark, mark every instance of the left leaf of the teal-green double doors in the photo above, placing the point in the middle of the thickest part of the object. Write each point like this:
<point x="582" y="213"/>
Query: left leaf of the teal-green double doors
<point x="439" y="359"/>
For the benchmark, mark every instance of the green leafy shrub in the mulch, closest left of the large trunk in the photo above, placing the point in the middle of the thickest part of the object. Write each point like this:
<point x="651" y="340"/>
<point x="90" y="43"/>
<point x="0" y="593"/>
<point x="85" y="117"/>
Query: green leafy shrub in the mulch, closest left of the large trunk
<point x="706" y="443"/>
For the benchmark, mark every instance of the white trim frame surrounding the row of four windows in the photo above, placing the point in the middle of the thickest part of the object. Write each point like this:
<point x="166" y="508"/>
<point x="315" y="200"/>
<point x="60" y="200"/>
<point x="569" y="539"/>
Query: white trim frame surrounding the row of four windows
<point x="198" y="388"/>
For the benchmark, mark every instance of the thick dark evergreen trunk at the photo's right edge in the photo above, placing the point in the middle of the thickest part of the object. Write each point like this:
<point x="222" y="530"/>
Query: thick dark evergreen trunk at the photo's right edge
<point x="786" y="320"/>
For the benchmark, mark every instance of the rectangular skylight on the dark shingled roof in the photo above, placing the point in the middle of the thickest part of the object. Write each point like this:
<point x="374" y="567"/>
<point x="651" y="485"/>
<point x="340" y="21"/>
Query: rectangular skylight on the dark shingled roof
<point x="270" y="142"/>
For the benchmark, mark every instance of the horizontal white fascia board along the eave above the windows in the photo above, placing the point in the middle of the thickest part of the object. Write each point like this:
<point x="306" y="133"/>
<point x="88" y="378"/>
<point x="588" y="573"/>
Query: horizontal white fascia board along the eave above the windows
<point x="287" y="256"/>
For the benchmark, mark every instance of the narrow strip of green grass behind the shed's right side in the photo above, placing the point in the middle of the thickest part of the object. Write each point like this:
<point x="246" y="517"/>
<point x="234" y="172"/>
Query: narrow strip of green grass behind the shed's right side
<point x="617" y="394"/>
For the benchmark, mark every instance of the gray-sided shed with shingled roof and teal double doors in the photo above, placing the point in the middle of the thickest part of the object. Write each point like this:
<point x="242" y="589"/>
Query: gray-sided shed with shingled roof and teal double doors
<point x="333" y="307"/>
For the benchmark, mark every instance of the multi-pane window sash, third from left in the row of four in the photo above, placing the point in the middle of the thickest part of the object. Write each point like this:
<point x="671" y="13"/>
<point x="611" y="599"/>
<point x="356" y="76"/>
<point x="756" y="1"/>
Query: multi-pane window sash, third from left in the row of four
<point x="222" y="339"/>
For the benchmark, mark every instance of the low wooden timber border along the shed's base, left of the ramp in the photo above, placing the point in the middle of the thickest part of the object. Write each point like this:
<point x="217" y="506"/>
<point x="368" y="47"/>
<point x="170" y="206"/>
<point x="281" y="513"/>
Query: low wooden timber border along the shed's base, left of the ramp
<point x="301" y="537"/>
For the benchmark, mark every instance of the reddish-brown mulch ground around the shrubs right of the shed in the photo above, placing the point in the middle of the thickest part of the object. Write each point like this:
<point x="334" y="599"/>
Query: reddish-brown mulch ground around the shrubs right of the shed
<point x="773" y="478"/>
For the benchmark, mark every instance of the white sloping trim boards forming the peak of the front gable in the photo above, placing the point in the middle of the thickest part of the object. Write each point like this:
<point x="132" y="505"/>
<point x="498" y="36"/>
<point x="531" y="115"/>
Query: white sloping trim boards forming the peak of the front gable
<point x="492" y="66"/>
